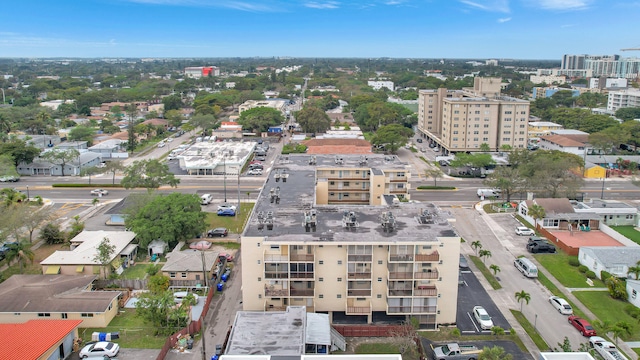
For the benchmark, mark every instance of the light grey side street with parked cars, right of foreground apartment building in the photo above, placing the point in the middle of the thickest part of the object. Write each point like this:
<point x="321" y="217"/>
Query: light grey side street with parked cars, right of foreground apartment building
<point x="496" y="234"/>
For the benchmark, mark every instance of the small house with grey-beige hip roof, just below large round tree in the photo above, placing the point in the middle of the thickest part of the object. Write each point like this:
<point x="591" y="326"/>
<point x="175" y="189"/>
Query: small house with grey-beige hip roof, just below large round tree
<point x="185" y="268"/>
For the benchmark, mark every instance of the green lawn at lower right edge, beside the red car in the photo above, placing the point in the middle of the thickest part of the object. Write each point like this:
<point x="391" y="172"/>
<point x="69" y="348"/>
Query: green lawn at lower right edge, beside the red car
<point x="608" y="309"/>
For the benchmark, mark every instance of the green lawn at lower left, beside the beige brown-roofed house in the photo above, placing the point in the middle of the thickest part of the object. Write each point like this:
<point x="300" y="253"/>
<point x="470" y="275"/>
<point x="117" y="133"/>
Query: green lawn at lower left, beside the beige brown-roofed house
<point x="134" y="333"/>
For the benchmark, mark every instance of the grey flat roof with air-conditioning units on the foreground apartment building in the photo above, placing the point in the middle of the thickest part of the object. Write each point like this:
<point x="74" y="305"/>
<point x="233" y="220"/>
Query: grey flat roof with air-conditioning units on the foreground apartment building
<point x="297" y="195"/>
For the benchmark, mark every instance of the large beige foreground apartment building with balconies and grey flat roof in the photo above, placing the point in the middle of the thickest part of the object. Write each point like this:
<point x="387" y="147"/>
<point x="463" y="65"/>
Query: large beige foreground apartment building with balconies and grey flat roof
<point x="374" y="259"/>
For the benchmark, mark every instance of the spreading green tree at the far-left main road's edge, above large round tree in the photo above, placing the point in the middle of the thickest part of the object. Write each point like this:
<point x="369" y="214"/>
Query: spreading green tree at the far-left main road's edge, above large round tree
<point x="149" y="174"/>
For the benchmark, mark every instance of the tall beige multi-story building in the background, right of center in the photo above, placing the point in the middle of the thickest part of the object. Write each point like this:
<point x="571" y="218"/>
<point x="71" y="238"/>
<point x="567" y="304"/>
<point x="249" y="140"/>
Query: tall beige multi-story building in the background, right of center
<point x="463" y="120"/>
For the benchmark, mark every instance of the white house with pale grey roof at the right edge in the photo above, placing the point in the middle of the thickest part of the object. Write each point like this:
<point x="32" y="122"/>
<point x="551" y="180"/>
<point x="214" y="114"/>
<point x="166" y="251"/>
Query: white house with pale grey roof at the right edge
<point x="616" y="260"/>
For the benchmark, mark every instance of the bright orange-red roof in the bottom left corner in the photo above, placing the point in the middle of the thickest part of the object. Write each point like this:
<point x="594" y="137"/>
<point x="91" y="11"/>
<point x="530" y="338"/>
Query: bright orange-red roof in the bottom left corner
<point x="34" y="338"/>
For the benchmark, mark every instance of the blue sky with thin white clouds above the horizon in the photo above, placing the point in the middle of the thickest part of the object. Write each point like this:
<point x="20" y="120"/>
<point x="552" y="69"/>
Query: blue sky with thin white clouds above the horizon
<point x="465" y="29"/>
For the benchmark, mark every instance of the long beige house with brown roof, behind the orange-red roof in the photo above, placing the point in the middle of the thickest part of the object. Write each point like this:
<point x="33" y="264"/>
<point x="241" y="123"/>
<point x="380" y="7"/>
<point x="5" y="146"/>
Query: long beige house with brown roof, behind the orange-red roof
<point x="56" y="297"/>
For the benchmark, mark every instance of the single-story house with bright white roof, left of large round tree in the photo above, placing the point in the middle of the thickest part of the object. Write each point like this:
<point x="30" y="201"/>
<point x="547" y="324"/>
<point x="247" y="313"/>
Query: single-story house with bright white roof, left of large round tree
<point x="81" y="259"/>
